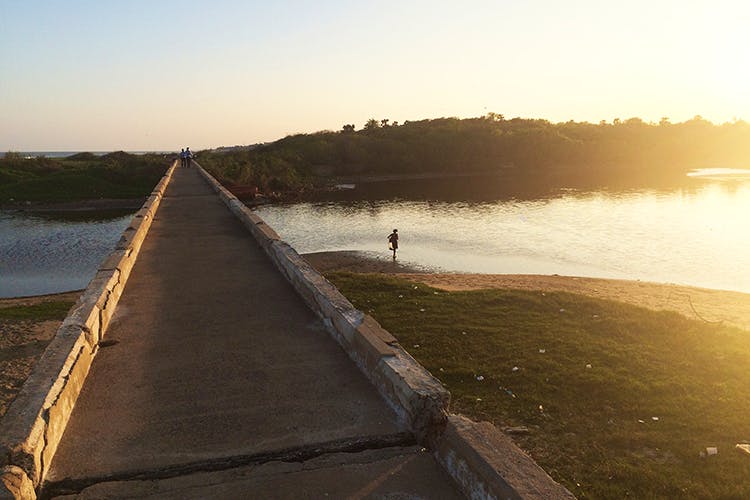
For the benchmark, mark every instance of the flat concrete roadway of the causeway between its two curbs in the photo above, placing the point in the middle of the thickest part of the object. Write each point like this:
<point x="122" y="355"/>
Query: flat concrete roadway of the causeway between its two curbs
<point x="215" y="379"/>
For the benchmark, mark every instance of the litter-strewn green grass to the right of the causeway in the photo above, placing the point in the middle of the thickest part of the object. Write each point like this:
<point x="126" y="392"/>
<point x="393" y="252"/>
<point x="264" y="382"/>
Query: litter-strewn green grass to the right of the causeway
<point x="590" y="428"/>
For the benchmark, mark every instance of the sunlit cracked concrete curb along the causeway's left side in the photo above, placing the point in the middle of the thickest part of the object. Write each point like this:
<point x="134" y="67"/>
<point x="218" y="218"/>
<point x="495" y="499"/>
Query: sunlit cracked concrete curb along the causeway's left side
<point x="31" y="429"/>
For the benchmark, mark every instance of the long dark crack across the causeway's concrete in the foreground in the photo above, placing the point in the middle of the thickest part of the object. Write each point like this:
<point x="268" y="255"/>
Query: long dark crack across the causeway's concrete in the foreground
<point x="69" y="486"/>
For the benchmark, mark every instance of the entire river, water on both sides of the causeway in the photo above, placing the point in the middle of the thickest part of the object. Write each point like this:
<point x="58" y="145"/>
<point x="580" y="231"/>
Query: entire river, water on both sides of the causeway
<point x="697" y="234"/>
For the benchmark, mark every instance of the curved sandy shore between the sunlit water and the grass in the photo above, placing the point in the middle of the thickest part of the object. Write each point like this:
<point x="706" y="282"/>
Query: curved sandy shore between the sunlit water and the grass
<point x="730" y="308"/>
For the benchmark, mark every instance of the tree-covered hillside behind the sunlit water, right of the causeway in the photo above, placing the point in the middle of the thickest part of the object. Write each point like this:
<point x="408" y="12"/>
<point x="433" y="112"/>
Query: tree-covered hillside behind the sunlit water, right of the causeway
<point x="630" y="150"/>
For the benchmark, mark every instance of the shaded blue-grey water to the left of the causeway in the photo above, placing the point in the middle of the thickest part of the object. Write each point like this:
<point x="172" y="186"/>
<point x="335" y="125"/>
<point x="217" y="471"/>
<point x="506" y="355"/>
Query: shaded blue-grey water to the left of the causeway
<point x="40" y="255"/>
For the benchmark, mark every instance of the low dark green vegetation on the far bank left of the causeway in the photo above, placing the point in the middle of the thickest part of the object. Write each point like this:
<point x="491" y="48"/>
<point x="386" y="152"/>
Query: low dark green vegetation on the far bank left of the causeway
<point x="83" y="176"/>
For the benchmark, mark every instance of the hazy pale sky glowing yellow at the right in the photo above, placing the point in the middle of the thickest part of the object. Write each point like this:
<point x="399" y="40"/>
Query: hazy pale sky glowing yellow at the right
<point x="103" y="75"/>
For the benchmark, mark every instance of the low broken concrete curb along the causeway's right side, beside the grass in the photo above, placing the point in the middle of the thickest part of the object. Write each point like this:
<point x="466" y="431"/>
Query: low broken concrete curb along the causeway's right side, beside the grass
<point x="484" y="462"/>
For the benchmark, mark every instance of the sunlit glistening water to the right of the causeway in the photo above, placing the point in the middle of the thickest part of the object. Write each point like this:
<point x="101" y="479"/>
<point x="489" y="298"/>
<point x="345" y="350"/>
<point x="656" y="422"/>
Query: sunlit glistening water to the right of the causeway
<point x="698" y="235"/>
